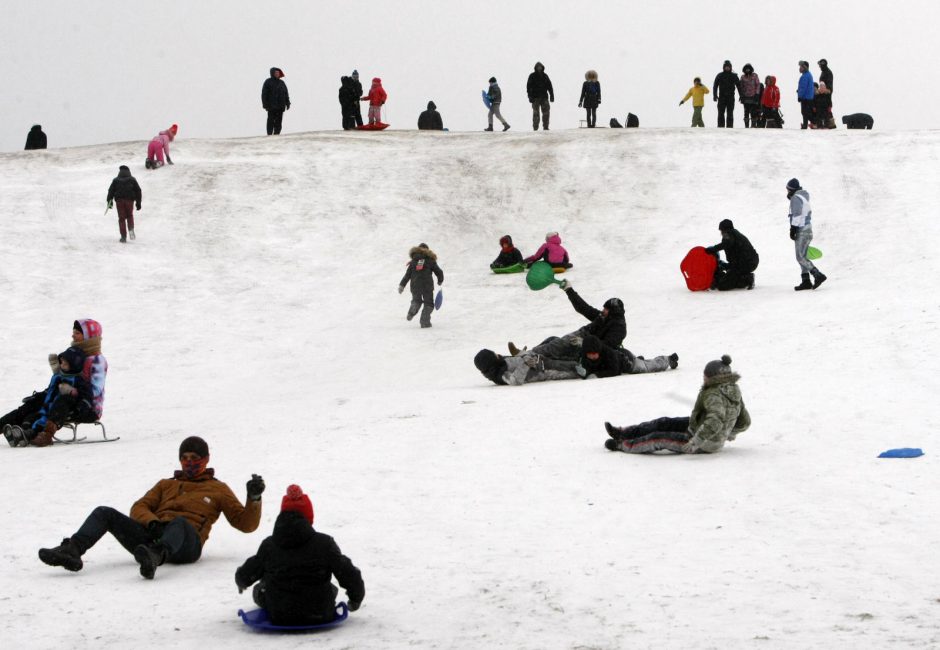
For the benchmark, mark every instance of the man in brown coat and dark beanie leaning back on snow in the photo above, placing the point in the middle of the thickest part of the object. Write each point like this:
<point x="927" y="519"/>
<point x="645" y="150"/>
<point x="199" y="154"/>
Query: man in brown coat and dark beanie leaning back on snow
<point x="170" y="523"/>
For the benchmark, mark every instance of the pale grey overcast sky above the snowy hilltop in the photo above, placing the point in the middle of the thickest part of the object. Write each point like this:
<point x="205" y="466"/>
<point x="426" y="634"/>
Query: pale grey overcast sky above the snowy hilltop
<point x="106" y="71"/>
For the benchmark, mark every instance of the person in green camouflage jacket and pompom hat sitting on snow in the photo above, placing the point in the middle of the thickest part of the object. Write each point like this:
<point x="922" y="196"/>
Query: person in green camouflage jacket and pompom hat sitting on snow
<point x="718" y="416"/>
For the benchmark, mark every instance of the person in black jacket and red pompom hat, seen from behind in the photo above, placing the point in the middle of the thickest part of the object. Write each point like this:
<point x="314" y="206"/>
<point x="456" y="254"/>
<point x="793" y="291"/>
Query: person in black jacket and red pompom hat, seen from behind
<point x="293" y="568"/>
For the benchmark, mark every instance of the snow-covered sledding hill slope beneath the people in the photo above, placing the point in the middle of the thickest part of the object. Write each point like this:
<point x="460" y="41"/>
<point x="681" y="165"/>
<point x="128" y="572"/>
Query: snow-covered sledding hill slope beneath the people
<point x="258" y="308"/>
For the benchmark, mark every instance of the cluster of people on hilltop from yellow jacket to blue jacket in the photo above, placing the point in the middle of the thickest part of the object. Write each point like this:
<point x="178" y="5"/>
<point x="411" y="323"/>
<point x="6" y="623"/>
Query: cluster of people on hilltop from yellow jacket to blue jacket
<point x="761" y="100"/>
